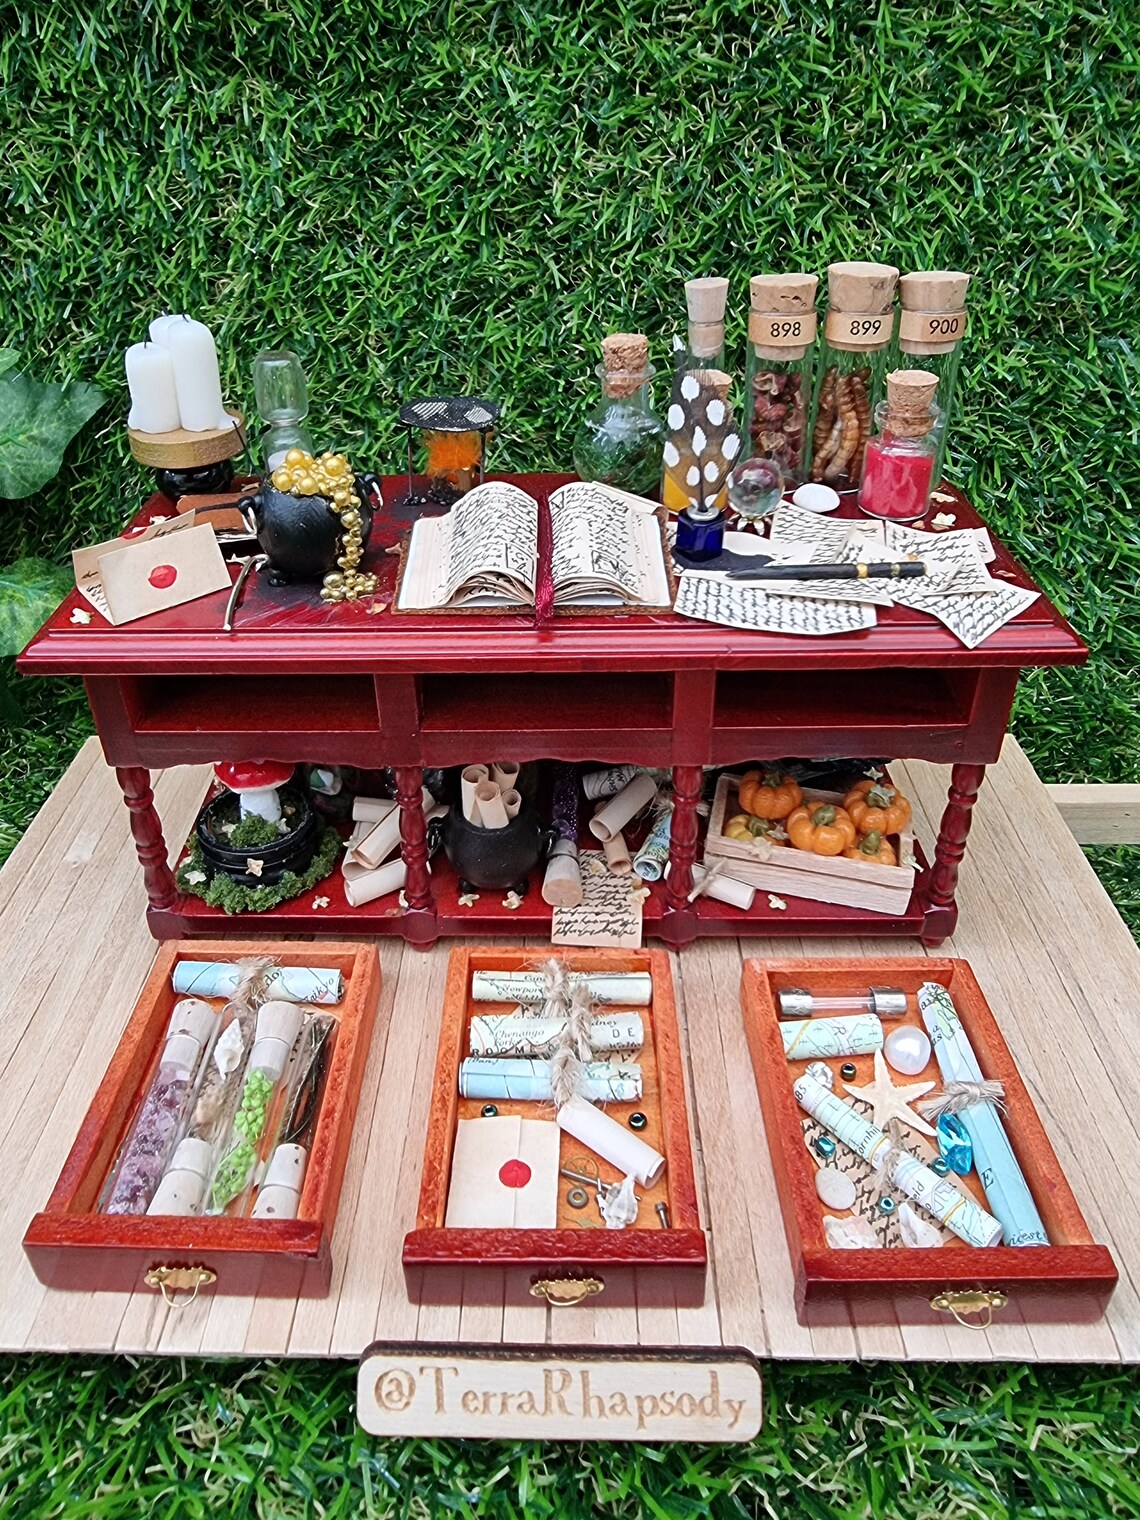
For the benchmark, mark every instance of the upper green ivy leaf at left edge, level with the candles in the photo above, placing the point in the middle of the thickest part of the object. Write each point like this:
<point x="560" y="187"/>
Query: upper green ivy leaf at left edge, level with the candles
<point x="37" y="423"/>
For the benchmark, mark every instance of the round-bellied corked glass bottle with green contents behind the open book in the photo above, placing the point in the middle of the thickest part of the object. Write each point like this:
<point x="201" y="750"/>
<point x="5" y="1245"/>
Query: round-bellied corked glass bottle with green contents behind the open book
<point x="621" y="442"/>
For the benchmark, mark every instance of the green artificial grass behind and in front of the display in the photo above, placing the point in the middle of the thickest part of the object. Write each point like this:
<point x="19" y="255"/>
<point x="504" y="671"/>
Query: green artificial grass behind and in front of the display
<point x="422" y="197"/>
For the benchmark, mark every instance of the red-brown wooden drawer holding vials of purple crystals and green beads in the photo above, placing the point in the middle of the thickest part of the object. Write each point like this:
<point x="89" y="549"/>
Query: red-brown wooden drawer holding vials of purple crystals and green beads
<point x="72" y="1246"/>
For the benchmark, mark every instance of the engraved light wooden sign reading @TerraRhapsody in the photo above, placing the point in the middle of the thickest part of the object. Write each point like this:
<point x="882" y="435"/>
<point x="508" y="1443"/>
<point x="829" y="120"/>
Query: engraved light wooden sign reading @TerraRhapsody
<point x="559" y="1393"/>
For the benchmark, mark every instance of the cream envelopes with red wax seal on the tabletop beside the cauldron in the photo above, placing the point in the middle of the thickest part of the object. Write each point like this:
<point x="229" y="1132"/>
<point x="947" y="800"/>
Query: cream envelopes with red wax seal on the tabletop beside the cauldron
<point x="171" y="563"/>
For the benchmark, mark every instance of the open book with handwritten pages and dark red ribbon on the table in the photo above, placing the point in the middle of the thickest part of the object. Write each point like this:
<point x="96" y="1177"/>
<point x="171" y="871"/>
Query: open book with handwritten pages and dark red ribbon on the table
<point x="607" y="551"/>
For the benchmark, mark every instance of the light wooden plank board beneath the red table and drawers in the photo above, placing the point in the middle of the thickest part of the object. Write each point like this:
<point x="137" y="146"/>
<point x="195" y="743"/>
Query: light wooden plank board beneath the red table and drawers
<point x="1054" y="958"/>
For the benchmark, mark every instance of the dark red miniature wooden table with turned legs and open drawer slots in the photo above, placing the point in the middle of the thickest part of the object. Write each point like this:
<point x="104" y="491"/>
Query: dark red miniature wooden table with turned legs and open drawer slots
<point x="358" y="685"/>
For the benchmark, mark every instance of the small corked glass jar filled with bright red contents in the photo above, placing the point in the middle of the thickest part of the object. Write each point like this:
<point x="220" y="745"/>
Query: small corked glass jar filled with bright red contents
<point x="899" y="463"/>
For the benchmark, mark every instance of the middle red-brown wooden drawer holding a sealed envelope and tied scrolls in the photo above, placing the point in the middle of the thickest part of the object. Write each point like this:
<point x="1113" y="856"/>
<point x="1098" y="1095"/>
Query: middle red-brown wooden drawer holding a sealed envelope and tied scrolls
<point x="568" y="1253"/>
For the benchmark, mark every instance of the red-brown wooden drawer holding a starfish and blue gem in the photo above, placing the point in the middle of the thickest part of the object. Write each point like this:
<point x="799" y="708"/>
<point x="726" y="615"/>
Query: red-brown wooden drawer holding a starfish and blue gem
<point x="1068" y="1281"/>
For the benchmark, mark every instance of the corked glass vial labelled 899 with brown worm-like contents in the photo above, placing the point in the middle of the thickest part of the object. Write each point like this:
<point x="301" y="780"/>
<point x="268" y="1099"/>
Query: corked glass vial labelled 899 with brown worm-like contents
<point x="852" y="364"/>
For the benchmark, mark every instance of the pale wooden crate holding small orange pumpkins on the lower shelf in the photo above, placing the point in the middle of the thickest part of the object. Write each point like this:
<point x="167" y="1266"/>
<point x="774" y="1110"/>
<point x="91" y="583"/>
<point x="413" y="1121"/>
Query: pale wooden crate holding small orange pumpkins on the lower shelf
<point x="822" y="879"/>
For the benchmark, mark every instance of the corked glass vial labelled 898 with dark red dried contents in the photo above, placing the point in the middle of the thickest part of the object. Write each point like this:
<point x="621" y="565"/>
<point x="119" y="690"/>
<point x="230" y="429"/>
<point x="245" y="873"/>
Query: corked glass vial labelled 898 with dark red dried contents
<point x="782" y="329"/>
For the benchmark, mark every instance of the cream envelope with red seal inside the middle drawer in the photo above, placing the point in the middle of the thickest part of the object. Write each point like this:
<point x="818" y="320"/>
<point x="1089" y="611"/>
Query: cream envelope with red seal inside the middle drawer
<point x="504" y="1174"/>
